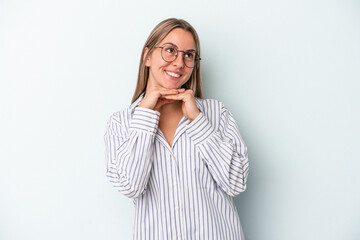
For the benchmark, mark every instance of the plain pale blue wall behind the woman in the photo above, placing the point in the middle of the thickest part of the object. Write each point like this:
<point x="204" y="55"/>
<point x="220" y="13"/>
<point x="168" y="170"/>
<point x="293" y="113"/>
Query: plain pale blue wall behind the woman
<point x="288" y="70"/>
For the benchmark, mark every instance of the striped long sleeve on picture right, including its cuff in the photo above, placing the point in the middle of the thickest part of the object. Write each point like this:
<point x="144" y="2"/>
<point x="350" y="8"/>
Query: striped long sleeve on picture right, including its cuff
<point x="223" y="150"/>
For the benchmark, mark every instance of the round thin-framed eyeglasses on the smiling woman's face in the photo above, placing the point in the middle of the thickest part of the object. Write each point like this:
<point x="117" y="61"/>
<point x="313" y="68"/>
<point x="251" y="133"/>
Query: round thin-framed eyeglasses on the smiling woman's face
<point x="169" y="53"/>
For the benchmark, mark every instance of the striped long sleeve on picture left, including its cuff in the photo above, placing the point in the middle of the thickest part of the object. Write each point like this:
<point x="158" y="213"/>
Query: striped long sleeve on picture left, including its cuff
<point x="129" y="145"/>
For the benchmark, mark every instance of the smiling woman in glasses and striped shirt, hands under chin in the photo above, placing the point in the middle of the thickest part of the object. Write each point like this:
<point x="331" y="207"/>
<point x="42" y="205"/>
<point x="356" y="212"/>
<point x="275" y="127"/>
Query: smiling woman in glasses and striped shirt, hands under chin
<point x="180" y="157"/>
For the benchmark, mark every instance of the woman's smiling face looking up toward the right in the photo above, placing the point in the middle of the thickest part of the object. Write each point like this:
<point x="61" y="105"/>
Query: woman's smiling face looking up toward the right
<point x="170" y="75"/>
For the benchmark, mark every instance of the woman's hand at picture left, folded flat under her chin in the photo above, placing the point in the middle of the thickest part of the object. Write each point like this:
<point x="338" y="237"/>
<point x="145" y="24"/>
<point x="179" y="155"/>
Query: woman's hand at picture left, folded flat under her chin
<point x="155" y="97"/>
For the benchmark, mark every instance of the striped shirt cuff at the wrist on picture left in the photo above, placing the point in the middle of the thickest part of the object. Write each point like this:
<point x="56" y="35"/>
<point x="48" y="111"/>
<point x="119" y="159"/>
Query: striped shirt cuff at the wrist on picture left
<point x="144" y="119"/>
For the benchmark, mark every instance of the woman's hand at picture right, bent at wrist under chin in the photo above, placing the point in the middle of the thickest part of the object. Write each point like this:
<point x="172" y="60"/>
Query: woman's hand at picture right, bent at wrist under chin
<point x="189" y="107"/>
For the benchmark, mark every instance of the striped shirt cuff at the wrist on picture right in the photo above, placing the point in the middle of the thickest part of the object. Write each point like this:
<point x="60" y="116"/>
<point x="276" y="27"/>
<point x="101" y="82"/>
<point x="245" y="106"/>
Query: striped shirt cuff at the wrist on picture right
<point x="199" y="129"/>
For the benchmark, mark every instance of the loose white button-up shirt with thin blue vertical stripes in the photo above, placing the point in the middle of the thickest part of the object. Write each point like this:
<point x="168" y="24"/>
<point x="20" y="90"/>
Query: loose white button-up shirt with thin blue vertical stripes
<point x="183" y="191"/>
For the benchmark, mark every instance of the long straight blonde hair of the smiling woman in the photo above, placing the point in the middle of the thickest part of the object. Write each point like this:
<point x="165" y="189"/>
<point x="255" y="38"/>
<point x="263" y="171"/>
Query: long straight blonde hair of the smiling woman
<point x="155" y="37"/>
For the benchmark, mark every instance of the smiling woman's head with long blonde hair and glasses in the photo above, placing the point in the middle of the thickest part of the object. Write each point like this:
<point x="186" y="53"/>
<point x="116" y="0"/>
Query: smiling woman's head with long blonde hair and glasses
<point x="153" y="51"/>
